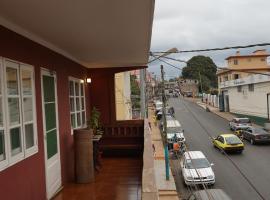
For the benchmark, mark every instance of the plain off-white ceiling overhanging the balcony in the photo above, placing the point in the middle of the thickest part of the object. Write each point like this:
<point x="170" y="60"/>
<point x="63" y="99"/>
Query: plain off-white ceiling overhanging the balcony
<point x="95" y="33"/>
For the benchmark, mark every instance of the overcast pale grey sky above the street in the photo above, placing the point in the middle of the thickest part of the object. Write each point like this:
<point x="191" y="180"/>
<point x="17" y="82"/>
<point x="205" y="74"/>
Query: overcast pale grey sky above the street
<point x="200" y="24"/>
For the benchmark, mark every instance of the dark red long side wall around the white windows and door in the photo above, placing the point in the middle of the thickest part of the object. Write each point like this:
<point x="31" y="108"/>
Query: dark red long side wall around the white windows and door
<point x="26" y="179"/>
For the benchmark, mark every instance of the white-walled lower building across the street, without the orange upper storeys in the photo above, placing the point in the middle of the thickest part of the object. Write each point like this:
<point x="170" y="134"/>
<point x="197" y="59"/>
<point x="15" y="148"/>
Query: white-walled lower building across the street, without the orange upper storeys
<point x="249" y="95"/>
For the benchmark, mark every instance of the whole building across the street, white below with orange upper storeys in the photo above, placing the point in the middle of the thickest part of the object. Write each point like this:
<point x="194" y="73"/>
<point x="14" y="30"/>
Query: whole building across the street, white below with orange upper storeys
<point x="245" y="86"/>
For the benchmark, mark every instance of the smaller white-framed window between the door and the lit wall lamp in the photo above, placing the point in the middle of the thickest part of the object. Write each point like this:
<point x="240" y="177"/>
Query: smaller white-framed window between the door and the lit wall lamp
<point x="77" y="103"/>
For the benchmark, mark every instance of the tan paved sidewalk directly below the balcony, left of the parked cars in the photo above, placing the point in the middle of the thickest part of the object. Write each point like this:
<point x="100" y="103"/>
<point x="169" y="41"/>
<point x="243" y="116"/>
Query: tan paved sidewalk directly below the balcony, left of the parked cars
<point x="166" y="189"/>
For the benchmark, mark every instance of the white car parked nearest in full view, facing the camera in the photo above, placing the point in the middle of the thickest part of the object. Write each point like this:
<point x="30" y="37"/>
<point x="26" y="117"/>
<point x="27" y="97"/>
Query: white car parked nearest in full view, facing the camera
<point x="196" y="169"/>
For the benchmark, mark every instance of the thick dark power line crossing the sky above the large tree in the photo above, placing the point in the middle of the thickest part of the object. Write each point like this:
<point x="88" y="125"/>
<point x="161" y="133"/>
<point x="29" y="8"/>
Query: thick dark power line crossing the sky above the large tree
<point x="215" y="49"/>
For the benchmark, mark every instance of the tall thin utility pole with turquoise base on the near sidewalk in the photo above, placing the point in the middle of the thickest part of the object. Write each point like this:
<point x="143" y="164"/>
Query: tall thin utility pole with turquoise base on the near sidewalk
<point x="164" y="125"/>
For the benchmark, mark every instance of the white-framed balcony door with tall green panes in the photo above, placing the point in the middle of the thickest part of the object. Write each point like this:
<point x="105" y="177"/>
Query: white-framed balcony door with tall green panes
<point x="51" y="137"/>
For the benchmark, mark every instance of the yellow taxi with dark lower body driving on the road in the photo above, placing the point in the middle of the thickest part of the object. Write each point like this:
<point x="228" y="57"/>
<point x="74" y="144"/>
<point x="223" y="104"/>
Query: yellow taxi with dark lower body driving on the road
<point x="228" y="143"/>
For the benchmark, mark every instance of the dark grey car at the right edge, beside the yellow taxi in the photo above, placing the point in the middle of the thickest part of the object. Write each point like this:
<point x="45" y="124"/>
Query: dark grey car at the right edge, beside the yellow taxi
<point x="256" y="135"/>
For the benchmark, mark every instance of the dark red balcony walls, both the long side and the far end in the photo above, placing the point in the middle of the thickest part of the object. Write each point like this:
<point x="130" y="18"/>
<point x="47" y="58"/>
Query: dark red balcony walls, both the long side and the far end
<point x="26" y="179"/>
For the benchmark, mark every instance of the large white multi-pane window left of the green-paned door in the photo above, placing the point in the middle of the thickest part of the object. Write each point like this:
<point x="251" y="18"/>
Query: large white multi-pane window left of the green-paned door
<point x="18" y="134"/>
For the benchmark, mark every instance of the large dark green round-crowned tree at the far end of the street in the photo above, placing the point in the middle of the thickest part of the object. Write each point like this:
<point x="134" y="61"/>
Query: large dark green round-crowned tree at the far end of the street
<point x="201" y="68"/>
